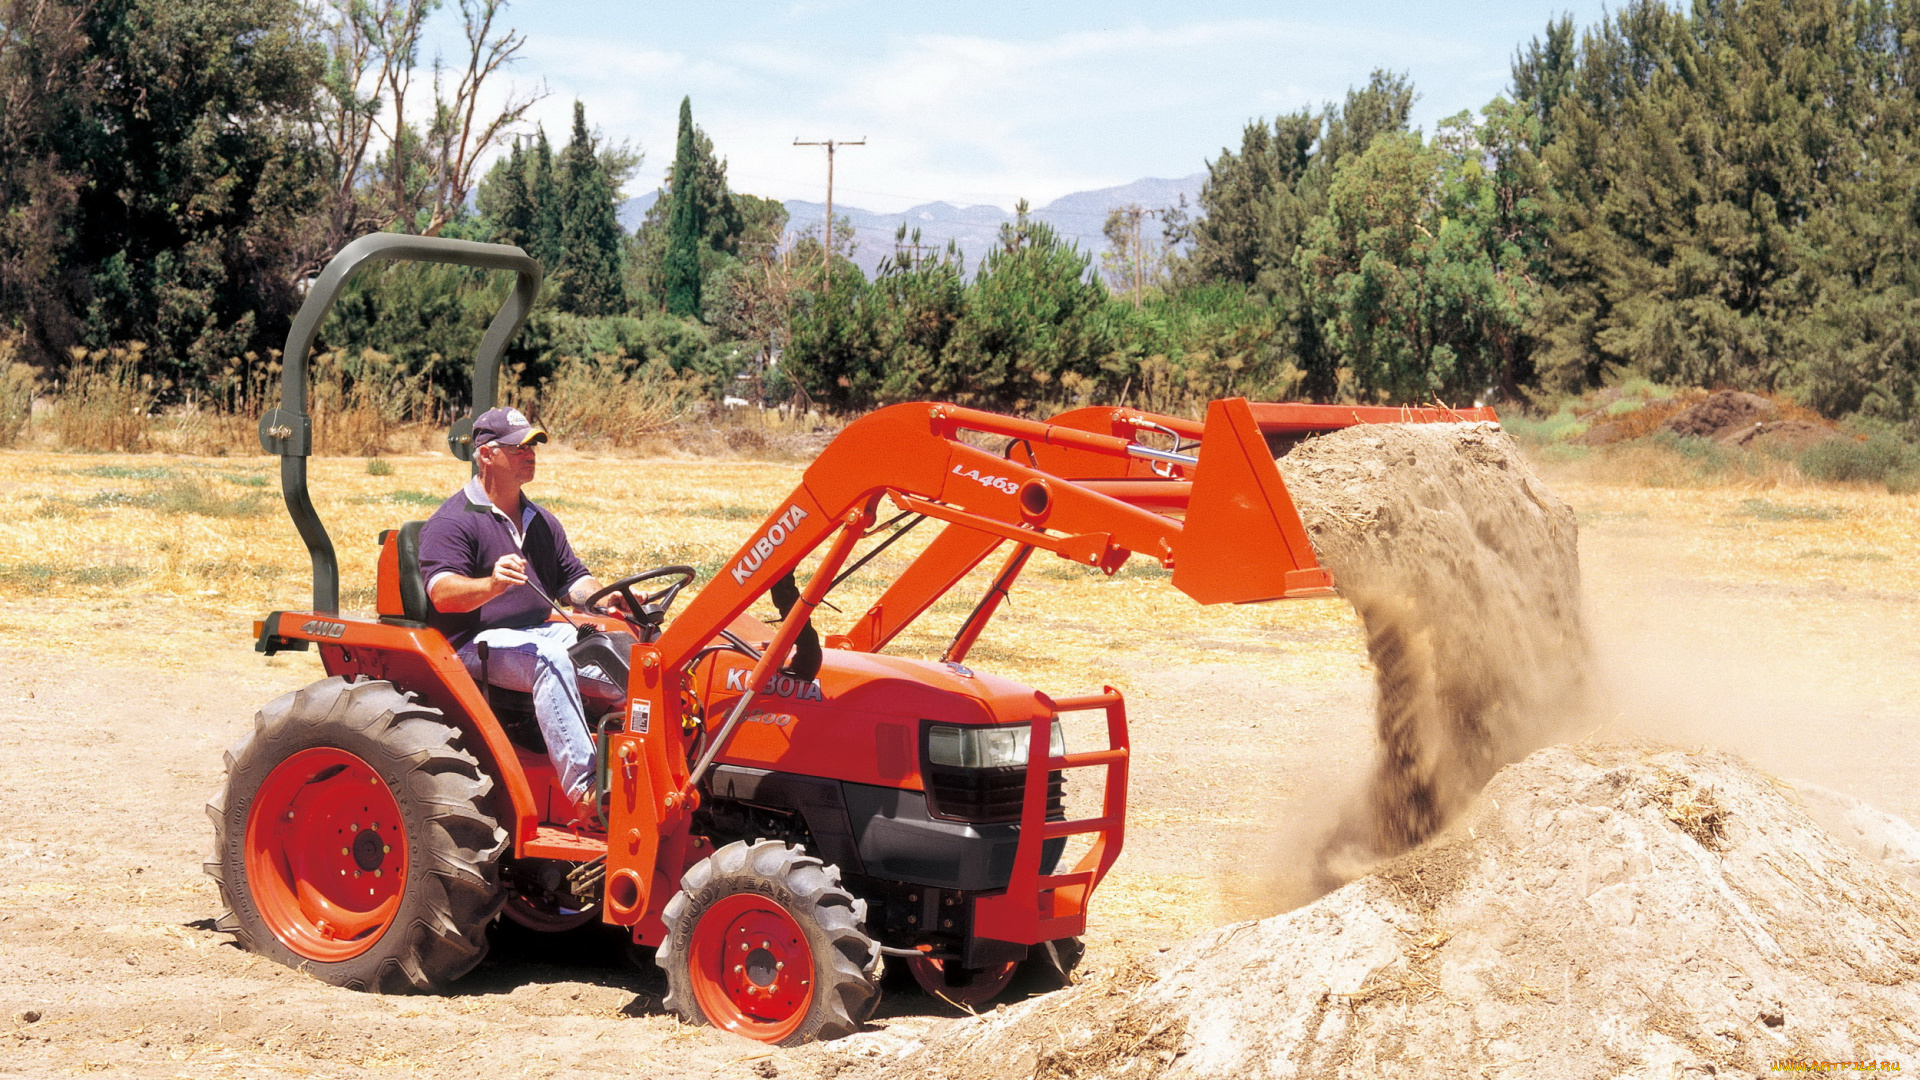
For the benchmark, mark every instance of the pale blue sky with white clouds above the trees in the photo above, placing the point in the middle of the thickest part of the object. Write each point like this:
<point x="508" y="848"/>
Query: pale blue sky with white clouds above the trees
<point x="990" y="101"/>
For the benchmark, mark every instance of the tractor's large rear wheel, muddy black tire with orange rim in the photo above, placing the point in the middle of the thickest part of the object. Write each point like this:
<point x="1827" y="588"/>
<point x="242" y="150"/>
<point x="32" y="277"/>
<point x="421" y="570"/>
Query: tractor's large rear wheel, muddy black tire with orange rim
<point x="352" y="841"/>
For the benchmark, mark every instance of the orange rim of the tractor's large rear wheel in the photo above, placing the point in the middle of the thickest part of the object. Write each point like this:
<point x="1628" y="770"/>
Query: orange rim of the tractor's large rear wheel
<point x="325" y="854"/>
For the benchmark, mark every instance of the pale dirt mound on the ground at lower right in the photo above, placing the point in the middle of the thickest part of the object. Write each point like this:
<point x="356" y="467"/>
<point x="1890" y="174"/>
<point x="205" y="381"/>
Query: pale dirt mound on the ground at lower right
<point x="1600" y="912"/>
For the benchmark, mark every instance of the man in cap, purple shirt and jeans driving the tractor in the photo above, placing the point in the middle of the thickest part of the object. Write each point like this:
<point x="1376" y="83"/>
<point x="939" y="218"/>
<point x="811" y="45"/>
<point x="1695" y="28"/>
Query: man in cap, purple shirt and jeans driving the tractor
<point x="492" y="560"/>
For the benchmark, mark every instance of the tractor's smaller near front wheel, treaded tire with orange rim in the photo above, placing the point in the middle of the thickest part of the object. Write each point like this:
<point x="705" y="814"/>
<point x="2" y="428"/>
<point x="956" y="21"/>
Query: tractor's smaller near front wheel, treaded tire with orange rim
<point x="763" y="941"/>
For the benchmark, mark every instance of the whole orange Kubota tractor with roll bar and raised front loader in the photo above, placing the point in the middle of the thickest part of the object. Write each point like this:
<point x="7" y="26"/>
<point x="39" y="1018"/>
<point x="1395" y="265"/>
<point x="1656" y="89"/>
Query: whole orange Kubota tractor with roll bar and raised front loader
<point x="779" y="814"/>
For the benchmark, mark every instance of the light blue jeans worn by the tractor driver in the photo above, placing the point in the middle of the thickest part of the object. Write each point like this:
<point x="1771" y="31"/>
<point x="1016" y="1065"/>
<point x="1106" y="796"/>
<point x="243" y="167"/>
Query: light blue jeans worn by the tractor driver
<point x="535" y="662"/>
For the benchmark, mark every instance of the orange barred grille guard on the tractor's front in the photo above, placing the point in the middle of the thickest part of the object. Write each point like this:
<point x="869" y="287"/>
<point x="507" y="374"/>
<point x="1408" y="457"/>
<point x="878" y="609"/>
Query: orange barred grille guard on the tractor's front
<point x="1045" y="908"/>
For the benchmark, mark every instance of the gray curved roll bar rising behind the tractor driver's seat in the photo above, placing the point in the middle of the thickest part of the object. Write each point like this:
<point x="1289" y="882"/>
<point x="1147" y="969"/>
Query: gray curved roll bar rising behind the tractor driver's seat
<point x="289" y="430"/>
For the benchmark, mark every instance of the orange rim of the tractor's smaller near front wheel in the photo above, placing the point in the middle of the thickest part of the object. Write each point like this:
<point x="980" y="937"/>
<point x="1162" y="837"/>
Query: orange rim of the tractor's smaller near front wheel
<point x="754" y="971"/>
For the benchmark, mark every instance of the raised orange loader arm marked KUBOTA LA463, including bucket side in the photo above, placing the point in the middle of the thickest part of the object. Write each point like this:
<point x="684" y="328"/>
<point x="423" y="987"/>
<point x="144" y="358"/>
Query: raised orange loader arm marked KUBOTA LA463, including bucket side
<point x="915" y="456"/>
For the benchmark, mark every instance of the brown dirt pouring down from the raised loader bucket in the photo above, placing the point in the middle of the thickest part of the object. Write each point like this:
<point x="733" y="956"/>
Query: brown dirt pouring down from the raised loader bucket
<point x="1466" y="572"/>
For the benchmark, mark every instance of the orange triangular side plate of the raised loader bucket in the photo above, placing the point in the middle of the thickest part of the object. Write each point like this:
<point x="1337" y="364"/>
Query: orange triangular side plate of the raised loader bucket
<point x="1243" y="539"/>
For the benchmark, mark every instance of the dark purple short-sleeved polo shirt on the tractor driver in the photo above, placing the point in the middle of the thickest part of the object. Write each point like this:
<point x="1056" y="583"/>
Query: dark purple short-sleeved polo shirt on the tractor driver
<point x="468" y="535"/>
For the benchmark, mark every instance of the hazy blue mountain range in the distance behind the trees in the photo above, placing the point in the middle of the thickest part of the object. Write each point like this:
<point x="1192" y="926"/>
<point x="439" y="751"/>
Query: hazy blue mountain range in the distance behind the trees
<point x="1080" y="218"/>
